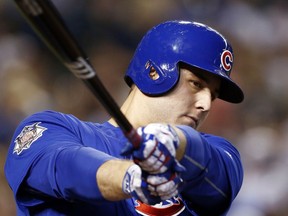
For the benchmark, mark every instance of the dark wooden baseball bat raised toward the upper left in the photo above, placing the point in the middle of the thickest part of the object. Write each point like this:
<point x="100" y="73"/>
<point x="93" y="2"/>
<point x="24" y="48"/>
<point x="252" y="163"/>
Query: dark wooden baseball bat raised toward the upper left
<point x="45" y="19"/>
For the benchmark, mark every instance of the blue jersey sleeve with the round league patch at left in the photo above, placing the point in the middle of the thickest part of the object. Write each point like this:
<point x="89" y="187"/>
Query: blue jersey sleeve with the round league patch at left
<point x="47" y="157"/>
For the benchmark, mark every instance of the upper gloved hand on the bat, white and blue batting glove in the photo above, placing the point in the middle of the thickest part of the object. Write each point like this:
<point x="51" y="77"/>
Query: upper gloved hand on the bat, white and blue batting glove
<point x="158" y="149"/>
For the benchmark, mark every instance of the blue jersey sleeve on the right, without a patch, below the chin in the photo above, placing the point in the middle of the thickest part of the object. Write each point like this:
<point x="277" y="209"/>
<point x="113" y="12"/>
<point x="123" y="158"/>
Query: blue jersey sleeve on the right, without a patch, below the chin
<point x="213" y="175"/>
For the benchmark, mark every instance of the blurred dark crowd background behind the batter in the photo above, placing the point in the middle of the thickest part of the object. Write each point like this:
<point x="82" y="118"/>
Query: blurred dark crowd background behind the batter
<point x="32" y="79"/>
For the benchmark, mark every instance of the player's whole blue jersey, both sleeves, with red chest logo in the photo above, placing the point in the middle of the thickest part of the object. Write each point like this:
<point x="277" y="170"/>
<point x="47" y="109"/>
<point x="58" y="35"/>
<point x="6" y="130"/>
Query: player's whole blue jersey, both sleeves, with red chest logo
<point x="53" y="159"/>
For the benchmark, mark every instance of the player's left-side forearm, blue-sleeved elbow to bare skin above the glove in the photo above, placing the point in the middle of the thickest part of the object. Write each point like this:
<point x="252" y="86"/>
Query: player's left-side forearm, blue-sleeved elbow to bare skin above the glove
<point x="77" y="173"/>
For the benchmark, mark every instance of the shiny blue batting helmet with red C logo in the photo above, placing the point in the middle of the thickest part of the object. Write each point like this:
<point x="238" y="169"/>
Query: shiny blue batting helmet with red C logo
<point x="173" y="42"/>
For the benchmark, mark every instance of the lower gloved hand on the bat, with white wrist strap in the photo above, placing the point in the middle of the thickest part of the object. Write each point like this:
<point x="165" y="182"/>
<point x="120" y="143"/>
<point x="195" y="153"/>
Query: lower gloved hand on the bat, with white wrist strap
<point x="150" y="189"/>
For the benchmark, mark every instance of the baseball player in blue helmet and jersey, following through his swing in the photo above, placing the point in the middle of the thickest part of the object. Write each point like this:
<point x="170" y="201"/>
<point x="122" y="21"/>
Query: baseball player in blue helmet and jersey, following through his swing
<point x="60" y="165"/>
